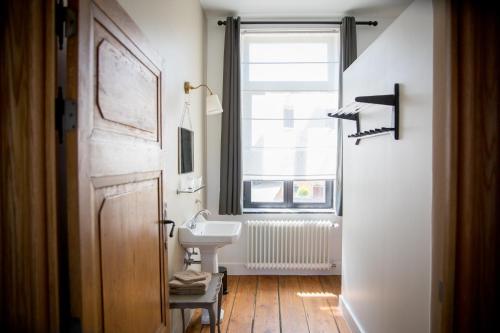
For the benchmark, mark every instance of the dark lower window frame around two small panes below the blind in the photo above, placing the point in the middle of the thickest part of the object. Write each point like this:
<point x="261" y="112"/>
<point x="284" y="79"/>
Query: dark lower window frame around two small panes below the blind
<point x="288" y="196"/>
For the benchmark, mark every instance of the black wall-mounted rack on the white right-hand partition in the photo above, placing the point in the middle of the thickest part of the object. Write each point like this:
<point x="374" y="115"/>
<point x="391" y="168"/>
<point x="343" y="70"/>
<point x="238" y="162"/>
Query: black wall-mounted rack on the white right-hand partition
<point x="351" y="112"/>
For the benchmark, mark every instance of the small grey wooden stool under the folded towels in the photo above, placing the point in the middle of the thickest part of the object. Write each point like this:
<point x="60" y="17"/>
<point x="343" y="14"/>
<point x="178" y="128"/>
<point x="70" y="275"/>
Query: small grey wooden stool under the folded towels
<point x="210" y="300"/>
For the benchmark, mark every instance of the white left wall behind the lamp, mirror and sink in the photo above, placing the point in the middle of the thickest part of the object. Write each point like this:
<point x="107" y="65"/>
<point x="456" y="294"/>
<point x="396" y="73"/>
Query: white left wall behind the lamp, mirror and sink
<point x="176" y="29"/>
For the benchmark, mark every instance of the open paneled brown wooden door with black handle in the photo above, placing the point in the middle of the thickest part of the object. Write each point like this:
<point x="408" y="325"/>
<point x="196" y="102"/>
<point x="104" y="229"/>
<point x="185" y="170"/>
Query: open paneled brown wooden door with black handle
<point x="118" y="256"/>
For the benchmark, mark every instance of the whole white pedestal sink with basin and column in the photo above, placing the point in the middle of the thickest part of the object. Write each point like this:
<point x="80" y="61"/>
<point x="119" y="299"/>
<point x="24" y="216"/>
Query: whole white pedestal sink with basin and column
<point x="209" y="237"/>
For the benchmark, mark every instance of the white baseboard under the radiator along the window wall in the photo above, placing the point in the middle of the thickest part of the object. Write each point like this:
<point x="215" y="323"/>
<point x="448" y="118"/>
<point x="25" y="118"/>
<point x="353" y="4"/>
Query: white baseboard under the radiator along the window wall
<point x="241" y="269"/>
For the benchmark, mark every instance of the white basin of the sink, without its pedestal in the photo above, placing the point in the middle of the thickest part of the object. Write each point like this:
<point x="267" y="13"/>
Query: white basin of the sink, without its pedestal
<point x="210" y="233"/>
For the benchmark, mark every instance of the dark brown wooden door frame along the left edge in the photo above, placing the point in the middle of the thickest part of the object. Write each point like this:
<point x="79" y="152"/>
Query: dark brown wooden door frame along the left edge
<point x="29" y="283"/>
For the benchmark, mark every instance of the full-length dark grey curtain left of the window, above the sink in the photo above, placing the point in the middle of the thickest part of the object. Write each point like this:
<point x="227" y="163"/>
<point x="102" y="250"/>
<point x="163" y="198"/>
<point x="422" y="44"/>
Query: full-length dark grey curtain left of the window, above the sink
<point x="230" y="161"/>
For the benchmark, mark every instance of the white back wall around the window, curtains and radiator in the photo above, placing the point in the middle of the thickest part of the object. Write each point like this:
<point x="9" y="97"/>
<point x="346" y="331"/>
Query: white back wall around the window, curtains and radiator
<point x="234" y="256"/>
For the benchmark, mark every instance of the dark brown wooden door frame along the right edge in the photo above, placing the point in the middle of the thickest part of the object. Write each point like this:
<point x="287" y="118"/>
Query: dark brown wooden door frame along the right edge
<point x="466" y="153"/>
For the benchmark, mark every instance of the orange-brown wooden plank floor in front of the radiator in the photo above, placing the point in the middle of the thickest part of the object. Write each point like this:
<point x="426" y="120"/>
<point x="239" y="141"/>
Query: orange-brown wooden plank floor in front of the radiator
<point x="274" y="304"/>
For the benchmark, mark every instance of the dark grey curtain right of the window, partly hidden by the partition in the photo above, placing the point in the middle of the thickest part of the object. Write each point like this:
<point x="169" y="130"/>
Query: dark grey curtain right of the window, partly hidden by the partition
<point x="348" y="53"/>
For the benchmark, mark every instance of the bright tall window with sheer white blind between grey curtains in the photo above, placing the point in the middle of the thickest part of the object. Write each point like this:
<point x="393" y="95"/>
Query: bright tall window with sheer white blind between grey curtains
<point x="289" y="84"/>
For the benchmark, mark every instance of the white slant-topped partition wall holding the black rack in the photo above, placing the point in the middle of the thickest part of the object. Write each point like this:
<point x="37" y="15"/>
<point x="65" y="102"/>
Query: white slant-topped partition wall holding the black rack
<point x="387" y="199"/>
